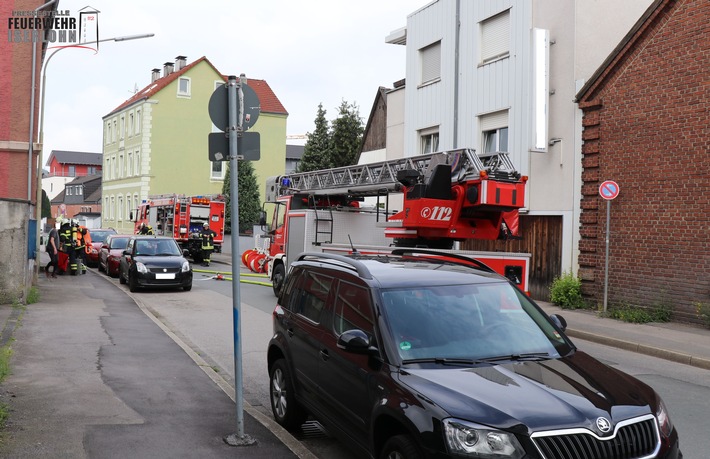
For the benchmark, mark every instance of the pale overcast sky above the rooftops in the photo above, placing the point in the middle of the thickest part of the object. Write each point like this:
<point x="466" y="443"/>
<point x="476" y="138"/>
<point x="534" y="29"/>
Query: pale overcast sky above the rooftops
<point x="309" y="51"/>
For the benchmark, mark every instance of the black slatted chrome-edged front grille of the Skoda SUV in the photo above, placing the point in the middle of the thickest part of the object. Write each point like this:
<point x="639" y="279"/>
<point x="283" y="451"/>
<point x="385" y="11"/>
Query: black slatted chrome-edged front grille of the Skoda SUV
<point x="633" y="439"/>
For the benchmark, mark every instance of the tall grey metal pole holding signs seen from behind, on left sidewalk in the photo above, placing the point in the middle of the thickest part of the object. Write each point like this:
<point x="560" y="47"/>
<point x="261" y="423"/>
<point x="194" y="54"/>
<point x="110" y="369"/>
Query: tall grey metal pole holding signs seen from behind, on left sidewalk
<point x="235" y="107"/>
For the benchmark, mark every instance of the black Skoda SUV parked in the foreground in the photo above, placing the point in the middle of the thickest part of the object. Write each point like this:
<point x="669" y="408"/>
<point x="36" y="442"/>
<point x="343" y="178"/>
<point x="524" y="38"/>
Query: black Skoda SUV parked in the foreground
<point x="428" y="354"/>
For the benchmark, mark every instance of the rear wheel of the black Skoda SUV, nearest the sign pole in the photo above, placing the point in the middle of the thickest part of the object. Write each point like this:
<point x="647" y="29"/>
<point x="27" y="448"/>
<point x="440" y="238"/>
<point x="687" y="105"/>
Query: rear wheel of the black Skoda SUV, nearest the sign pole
<point x="287" y="411"/>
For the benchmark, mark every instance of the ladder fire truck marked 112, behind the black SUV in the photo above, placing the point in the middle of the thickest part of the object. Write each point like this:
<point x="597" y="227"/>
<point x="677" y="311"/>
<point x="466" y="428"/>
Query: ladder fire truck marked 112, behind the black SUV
<point x="445" y="197"/>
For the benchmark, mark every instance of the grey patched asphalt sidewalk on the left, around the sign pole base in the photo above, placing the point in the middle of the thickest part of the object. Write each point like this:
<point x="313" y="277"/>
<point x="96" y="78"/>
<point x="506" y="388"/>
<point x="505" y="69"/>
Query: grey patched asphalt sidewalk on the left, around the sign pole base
<point x="93" y="376"/>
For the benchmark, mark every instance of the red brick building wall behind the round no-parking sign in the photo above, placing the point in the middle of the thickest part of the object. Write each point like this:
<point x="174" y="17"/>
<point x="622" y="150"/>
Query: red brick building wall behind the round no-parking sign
<point x="646" y="126"/>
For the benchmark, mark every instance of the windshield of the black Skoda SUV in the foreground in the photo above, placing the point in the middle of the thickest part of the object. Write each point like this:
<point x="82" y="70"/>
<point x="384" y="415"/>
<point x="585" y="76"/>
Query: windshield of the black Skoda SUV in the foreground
<point x="472" y="322"/>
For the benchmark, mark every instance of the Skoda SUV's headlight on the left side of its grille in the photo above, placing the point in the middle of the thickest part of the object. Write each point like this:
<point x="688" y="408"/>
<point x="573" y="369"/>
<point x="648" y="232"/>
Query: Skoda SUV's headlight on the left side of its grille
<point x="465" y="438"/>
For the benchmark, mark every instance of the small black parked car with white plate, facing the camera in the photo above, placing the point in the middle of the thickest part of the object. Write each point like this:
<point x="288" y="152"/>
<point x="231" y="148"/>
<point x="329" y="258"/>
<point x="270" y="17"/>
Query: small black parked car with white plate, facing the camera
<point x="154" y="261"/>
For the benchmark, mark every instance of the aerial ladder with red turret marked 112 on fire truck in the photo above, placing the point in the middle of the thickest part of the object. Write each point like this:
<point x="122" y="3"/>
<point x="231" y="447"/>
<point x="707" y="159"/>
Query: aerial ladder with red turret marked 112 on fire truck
<point x="453" y="195"/>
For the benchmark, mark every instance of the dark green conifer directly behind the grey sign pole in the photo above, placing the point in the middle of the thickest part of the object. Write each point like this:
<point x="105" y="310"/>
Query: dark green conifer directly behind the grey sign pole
<point x="249" y="200"/>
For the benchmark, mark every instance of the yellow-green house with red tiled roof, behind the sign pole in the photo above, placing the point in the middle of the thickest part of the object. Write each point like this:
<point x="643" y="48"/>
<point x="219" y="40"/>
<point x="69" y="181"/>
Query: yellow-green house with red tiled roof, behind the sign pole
<point x="155" y="143"/>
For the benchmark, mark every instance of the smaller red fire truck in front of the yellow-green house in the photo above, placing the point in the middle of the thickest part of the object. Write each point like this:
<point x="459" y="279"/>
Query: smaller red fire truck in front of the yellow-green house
<point x="183" y="217"/>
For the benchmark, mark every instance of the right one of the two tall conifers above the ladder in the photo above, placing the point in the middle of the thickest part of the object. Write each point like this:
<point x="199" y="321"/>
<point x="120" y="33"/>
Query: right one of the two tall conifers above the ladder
<point x="346" y="135"/>
